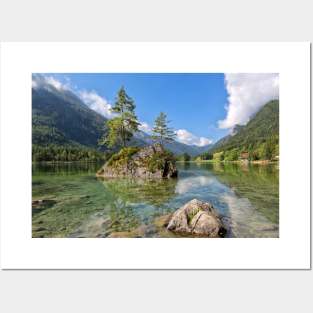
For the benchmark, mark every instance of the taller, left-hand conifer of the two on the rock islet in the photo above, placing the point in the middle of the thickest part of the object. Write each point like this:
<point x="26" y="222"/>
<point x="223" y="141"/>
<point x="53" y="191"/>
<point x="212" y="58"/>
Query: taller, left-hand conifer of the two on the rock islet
<point x="121" y="128"/>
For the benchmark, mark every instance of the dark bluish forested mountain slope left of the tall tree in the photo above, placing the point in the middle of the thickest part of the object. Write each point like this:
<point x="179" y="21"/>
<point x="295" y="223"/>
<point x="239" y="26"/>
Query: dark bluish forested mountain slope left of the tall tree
<point x="62" y="118"/>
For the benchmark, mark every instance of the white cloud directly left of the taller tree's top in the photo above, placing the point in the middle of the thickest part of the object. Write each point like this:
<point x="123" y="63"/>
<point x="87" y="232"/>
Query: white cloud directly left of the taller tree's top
<point x="97" y="103"/>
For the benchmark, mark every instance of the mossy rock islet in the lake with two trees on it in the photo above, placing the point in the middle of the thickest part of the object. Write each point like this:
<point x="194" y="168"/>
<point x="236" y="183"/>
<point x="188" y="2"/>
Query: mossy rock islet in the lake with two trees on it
<point x="148" y="162"/>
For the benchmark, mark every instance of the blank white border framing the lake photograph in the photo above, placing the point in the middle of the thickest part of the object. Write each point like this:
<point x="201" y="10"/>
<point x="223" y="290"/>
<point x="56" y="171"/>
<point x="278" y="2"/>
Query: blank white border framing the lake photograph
<point x="290" y="251"/>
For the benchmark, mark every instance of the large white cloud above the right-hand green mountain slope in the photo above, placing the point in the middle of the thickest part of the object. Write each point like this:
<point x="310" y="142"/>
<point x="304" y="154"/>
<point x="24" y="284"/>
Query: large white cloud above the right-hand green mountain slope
<point x="247" y="93"/>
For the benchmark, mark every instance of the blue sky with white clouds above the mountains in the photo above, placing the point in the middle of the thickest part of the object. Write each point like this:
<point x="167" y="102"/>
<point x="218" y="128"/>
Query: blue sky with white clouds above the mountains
<point x="202" y="107"/>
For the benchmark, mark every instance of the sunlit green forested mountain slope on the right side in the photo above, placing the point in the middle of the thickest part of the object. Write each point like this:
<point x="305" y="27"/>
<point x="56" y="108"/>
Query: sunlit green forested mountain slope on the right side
<point x="263" y="126"/>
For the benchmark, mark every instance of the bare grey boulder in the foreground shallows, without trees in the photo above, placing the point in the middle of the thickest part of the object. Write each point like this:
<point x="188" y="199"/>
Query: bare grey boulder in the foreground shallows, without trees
<point x="197" y="217"/>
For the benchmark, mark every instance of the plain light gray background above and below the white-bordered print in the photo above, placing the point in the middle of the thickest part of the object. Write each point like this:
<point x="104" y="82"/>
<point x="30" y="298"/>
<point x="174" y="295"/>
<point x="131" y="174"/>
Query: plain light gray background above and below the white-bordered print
<point x="156" y="291"/>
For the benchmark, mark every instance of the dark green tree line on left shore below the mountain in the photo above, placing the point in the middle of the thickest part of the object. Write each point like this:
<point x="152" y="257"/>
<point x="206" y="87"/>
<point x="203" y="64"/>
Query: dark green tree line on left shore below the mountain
<point x="55" y="153"/>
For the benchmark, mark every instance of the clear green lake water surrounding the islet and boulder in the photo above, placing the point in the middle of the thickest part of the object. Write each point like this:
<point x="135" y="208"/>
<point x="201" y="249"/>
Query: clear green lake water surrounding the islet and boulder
<point x="72" y="202"/>
